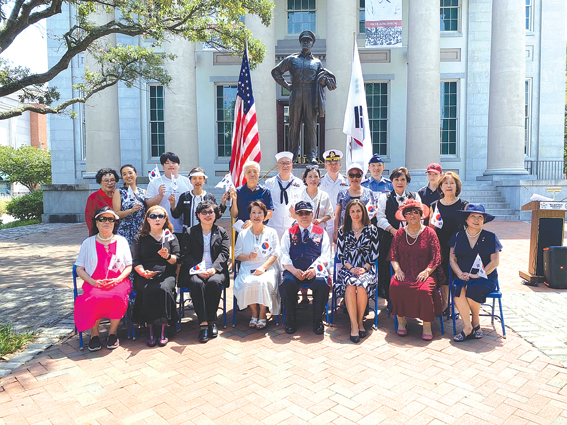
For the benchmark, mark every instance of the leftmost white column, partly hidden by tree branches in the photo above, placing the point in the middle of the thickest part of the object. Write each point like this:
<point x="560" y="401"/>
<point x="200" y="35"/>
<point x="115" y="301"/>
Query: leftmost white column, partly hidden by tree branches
<point x="101" y="115"/>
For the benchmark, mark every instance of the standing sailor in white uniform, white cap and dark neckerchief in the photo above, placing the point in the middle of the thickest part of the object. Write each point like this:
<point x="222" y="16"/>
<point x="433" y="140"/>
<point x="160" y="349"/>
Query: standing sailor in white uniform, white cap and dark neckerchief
<point x="285" y="189"/>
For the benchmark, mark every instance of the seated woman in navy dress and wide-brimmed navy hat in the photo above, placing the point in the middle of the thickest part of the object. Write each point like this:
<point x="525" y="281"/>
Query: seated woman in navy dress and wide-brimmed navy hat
<point x="471" y="288"/>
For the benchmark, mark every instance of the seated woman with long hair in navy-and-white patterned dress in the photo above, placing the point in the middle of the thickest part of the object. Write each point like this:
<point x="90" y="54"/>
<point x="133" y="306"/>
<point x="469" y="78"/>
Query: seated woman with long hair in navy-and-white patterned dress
<point x="357" y="250"/>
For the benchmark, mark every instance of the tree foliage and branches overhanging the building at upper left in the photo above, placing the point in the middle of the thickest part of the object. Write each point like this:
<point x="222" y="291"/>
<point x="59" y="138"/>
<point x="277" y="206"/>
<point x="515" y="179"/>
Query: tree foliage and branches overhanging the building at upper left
<point x="157" y="22"/>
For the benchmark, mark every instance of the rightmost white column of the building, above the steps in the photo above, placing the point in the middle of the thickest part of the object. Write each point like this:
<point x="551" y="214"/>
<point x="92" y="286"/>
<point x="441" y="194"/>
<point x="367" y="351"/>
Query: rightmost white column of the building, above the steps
<point x="505" y="150"/>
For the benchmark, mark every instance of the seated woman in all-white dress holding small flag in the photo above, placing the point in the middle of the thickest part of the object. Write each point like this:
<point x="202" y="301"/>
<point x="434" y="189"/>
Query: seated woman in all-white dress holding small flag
<point x="258" y="248"/>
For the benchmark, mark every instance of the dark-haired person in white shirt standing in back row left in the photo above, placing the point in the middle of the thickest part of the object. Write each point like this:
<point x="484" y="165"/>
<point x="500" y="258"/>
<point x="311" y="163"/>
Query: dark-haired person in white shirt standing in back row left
<point x="167" y="189"/>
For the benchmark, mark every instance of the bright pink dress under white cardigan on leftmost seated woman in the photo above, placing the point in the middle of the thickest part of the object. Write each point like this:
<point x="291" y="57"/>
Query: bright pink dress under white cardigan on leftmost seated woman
<point x="99" y="303"/>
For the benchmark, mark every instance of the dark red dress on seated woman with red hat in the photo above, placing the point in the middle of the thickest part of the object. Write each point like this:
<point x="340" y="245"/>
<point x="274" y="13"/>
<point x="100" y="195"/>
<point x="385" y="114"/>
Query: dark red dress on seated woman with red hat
<point x="409" y="298"/>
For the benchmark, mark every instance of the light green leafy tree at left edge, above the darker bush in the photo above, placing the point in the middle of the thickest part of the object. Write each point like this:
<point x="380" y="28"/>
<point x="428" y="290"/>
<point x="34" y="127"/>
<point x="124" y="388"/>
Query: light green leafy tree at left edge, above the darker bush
<point x="26" y="165"/>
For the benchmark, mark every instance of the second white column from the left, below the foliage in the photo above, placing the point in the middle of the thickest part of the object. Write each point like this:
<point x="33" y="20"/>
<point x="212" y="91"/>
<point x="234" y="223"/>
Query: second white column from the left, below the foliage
<point x="180" y="110"/>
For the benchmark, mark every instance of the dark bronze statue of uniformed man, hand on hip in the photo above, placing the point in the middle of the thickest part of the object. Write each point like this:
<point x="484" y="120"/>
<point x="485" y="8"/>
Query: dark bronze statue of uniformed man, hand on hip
<point x="307" y="99"/>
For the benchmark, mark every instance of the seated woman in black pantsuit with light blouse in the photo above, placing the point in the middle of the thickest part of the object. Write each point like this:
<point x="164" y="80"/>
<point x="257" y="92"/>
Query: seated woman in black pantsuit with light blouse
<point x="209" y="244"/>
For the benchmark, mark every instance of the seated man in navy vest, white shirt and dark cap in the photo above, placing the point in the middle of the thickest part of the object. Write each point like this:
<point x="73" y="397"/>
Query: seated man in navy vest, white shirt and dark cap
<point x="304" y="248"/>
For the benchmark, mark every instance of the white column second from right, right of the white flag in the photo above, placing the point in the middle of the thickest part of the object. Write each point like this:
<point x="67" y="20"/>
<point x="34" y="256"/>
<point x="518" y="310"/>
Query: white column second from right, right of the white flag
<point x="423" y="113"/>
